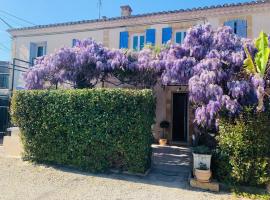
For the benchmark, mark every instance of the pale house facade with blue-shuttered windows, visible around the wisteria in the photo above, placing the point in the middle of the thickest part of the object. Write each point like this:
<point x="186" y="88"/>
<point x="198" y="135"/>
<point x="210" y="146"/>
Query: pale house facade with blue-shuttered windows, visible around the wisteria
<point x="133" y="32"/>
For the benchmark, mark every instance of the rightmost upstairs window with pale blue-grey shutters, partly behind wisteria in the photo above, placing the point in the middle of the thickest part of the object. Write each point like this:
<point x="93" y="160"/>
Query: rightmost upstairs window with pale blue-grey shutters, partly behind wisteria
<point x="239" y="26"/>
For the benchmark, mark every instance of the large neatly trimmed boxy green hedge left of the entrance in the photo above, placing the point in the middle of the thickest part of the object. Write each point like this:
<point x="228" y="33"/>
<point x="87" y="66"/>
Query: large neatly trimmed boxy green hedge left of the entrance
<point x="94" y="130"/>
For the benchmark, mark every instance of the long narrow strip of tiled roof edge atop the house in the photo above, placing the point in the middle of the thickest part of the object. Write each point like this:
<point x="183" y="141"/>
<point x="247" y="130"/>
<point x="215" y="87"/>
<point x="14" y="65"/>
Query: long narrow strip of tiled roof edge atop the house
<point x="140" y="15"/>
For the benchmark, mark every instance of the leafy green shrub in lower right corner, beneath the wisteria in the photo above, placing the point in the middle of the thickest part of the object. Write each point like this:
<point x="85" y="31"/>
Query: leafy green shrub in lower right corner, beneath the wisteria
<point x="243" y="149"/>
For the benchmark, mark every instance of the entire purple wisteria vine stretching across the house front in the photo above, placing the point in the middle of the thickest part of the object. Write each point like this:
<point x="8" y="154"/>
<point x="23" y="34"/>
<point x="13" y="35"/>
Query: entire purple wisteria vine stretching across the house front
<point x="209" y="61"/>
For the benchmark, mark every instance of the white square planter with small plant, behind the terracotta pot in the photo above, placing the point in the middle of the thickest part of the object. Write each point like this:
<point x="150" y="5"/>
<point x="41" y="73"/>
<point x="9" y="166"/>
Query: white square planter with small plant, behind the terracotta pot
<point x="201" y="154"/>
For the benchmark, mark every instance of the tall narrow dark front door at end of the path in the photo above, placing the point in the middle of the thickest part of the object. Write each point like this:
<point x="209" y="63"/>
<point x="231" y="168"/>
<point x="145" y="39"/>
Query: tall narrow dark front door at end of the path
<point x="180" y="117"/>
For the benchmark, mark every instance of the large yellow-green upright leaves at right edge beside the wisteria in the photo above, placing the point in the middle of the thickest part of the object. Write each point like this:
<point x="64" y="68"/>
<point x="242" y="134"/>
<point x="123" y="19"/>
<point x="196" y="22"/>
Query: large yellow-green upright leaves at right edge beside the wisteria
<point x="261" y="57"/>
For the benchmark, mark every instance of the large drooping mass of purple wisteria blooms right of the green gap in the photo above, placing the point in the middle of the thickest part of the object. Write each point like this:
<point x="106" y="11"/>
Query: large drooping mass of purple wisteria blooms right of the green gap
<point x="211" y="63"/>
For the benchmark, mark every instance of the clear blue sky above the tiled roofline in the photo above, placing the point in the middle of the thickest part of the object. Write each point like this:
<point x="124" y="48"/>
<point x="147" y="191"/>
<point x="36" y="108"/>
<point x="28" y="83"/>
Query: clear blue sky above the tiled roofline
<point x="53" y="11"/>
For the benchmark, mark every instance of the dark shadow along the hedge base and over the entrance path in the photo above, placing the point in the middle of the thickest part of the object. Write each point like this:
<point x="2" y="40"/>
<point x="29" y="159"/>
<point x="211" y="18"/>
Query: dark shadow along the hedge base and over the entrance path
<point x="171" y="167"/>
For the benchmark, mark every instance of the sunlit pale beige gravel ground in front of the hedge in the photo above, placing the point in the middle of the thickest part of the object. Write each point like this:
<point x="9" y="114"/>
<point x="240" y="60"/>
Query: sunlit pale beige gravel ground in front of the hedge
<point x="22" y="180"/>
